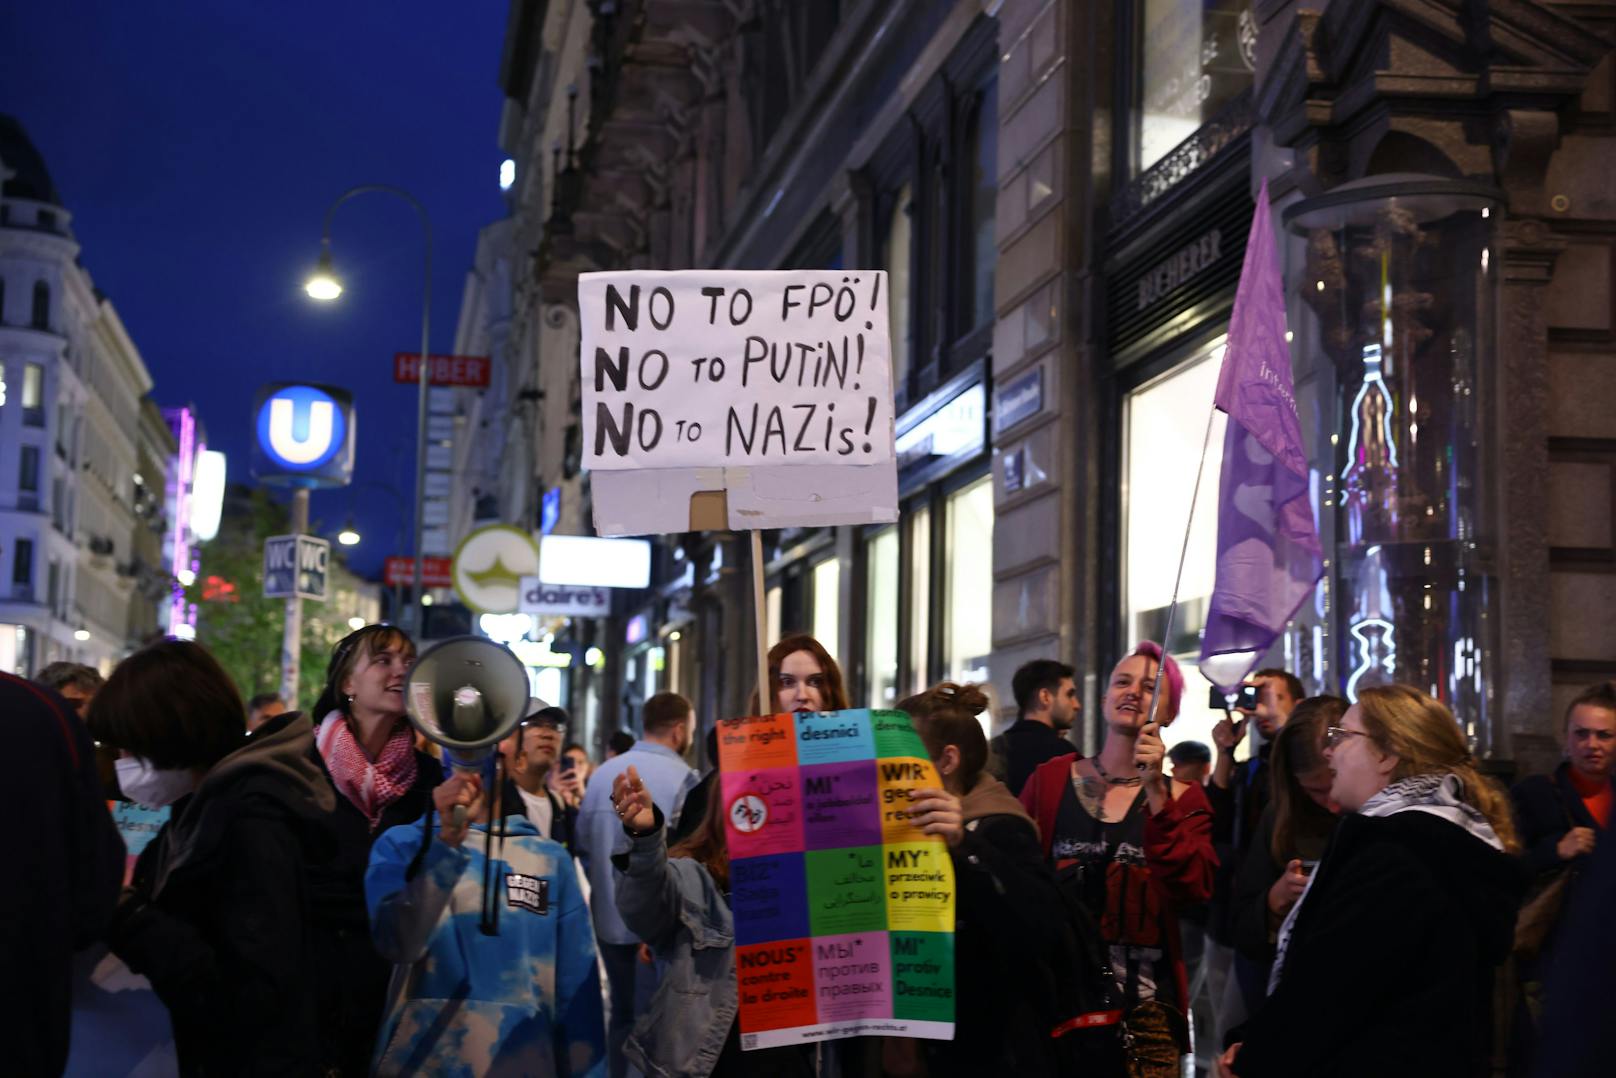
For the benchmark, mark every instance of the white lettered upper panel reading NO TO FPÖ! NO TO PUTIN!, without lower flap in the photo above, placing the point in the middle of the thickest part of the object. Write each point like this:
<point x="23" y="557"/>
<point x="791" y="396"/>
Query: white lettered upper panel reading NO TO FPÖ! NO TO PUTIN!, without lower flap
<point x="713" y="369"/>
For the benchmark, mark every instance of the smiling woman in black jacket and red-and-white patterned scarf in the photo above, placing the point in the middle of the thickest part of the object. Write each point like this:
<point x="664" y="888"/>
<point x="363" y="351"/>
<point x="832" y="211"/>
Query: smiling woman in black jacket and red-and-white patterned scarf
<point x="368" y="751"/>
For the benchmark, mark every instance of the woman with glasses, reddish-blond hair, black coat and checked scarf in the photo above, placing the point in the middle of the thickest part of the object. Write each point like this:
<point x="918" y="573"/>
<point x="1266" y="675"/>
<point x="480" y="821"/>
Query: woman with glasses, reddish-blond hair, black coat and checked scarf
<point x="1407" y="917"/>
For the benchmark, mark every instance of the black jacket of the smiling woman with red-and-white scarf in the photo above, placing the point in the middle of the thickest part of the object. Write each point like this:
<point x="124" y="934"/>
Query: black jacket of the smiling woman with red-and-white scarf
<point x="351" y="977"/>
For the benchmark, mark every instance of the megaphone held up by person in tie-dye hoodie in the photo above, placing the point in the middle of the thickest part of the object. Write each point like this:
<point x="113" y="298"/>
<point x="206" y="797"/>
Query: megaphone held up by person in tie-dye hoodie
<point x="466" y="694"/>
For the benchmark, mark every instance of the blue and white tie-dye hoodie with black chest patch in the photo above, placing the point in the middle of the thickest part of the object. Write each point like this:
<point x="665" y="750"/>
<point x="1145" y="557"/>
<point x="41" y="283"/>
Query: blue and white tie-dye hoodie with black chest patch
<point x="523" y="1003"/>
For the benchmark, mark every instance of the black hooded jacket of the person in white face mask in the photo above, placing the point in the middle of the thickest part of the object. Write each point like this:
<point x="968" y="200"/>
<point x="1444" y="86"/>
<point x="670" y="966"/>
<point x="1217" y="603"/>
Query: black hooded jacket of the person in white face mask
<point x="219" y="912"/>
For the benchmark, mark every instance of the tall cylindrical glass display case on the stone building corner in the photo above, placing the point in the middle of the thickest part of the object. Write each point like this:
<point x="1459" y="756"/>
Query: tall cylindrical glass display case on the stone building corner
<point x="1397" y="287"/>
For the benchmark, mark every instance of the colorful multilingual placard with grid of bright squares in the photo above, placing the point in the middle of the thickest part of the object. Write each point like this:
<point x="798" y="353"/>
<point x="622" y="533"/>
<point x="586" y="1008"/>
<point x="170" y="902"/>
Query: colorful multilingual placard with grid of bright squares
<point x="844" y="909"/>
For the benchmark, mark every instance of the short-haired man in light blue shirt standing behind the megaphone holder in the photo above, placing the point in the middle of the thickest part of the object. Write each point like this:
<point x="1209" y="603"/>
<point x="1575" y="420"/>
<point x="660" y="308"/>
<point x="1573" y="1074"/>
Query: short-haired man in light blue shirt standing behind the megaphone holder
<point x="659" y="759"/>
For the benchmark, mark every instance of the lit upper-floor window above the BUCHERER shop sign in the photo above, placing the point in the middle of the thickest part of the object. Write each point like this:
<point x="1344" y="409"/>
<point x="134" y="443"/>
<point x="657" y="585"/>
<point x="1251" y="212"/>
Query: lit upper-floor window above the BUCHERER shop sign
<point x="1193" y="57"/>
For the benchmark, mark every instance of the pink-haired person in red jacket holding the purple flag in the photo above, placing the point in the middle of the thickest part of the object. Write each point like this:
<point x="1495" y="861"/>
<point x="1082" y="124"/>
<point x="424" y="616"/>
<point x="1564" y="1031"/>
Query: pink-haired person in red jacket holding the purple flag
<point x="1134" y="848"/>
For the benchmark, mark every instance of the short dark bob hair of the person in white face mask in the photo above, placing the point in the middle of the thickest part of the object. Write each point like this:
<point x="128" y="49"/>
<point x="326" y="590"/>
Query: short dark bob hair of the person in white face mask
<point x="174" y="705"/>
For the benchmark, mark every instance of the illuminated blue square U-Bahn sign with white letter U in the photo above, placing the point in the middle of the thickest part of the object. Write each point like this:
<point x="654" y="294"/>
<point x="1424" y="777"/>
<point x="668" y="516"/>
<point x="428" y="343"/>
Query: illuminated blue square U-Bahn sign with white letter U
<point x="305" y="436"/>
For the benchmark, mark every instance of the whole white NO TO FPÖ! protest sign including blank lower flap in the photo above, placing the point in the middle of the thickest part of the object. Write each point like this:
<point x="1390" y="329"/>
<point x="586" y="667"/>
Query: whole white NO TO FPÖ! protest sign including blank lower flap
<point x="770" y="389"/>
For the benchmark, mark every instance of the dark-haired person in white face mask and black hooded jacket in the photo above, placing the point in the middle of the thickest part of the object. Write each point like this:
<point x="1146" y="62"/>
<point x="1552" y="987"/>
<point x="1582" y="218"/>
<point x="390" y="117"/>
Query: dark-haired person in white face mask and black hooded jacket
<point x="217" y="916"/>
